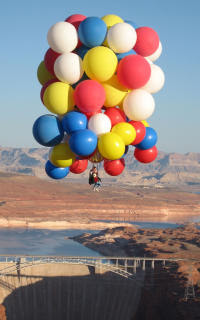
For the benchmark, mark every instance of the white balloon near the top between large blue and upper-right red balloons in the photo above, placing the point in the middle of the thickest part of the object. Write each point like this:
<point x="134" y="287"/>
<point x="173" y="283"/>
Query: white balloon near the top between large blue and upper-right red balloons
<point x="121" y="37"/>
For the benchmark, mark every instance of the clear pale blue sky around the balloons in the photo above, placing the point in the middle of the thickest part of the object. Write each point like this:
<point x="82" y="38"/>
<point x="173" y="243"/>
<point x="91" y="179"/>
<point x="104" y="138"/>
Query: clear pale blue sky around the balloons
<point x="23" y="29"/>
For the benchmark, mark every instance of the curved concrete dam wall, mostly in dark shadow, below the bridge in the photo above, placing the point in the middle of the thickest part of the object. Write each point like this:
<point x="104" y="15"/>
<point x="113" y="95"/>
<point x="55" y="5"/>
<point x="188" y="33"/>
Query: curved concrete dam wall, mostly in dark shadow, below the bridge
<point x="67" y="292"/>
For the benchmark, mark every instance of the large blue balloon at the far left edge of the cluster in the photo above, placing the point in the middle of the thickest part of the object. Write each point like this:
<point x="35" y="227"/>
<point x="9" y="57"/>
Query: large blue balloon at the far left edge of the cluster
<point x="48" y="131"/>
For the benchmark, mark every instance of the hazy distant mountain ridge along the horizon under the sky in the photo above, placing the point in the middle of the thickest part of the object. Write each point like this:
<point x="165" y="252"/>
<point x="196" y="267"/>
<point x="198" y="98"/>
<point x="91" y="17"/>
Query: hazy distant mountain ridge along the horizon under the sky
<point x="168" y="169"/>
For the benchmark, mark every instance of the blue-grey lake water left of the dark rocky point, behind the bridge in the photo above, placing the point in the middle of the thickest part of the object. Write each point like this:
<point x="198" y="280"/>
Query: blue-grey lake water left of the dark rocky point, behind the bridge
<point x="42" y="242"/>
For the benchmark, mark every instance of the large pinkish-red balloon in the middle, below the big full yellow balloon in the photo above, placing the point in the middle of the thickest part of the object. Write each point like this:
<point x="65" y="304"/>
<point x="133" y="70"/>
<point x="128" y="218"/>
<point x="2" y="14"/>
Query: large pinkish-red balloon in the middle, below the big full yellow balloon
<point x="89" y="96"/>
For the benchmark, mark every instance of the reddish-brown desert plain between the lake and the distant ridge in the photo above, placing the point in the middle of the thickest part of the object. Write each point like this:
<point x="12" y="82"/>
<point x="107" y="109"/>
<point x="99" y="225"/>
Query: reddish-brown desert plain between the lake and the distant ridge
<point x="27" y="201"/>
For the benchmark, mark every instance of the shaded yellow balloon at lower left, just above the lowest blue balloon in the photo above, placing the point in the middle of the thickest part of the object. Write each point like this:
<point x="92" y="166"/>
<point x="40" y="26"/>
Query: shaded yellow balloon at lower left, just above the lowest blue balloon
<point x="62" y="156"/>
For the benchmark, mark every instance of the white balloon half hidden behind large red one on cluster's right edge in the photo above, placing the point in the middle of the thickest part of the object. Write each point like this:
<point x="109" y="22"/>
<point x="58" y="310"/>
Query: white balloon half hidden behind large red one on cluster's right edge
<point x="156" y="81"/>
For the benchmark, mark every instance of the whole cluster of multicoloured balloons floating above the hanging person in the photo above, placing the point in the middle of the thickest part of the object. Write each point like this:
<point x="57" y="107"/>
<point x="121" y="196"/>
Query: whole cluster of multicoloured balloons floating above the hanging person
<point x="97" y="79"/>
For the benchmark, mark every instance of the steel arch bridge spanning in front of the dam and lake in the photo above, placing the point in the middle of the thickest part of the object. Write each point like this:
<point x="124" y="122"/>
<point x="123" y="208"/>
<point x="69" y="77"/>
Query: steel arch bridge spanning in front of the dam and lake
<point x="123" y="266"/>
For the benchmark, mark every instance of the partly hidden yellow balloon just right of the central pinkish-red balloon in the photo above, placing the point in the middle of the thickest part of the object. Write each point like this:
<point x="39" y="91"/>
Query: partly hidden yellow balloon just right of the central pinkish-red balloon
<point x="115" y="92"/>
